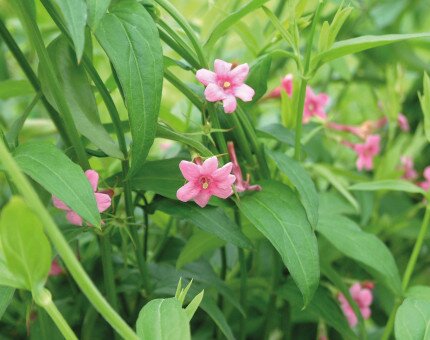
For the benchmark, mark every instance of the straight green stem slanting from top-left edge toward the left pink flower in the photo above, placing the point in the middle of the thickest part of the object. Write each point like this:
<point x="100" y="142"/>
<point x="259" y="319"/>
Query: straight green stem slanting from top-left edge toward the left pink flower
<point x="35" y="38"/>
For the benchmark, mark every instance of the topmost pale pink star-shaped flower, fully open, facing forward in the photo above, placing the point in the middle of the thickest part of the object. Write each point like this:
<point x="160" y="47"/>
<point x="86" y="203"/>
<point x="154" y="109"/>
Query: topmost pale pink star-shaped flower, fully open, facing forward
<point x="226" y="84"/>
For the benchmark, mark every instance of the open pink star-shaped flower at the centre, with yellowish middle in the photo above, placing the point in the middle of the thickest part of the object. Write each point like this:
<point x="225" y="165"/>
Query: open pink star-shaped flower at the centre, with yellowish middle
<point x="205" y="180"/>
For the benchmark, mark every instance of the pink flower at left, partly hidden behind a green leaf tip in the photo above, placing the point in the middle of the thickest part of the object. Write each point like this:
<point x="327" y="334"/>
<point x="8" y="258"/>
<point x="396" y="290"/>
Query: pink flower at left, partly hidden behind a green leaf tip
<point x="103" y="200"/>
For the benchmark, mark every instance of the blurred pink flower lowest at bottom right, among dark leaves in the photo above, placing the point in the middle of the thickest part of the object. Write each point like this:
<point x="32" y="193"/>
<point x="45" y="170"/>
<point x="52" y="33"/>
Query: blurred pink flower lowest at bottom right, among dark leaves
<point x="362" y="295"/>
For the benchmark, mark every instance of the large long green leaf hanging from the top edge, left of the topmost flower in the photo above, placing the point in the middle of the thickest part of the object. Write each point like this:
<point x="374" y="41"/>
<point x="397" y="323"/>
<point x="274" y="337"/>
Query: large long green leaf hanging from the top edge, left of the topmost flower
<point x="130" y="38"/>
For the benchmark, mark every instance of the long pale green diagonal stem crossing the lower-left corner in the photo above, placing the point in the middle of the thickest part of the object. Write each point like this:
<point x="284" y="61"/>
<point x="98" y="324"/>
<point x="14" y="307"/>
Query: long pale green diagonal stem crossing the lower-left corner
<point x="63" y="248"/>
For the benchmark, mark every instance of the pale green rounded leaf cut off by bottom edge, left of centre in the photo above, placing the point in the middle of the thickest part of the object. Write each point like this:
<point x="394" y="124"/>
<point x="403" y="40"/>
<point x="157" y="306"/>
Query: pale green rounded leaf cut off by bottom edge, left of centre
<point x="163" y="319"/>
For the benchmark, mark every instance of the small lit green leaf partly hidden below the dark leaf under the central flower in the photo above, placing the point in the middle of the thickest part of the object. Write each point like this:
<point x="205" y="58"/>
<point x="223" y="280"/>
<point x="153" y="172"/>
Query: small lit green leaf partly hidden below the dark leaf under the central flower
<point x="197" y="245"/>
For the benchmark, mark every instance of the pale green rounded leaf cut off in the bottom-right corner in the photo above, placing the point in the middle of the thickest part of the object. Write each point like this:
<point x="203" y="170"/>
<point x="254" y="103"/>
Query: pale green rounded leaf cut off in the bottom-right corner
<point x="413" y="320"/>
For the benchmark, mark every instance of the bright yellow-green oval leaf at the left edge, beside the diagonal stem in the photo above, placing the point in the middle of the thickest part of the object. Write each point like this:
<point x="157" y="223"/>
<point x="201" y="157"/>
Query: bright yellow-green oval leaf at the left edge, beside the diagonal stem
<point x="25" y="246"/>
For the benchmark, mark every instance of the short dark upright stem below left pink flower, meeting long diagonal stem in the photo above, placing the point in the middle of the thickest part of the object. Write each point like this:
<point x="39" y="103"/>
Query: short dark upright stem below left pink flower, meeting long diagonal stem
<point x="108" y="270"/>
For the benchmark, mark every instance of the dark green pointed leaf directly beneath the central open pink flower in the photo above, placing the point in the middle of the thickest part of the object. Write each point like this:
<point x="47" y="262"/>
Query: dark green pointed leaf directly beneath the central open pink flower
<point x="210" y="219"/>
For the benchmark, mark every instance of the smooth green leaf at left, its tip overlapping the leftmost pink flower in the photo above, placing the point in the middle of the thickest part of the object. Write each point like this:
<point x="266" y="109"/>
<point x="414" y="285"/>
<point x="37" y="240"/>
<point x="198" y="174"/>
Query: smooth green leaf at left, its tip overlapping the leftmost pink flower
<point x="53" y="170"/>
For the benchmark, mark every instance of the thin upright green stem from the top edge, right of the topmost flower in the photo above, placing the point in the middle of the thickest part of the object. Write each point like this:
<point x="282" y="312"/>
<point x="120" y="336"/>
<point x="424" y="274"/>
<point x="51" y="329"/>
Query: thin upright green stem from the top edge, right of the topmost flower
<point x="304" y="83"/>
